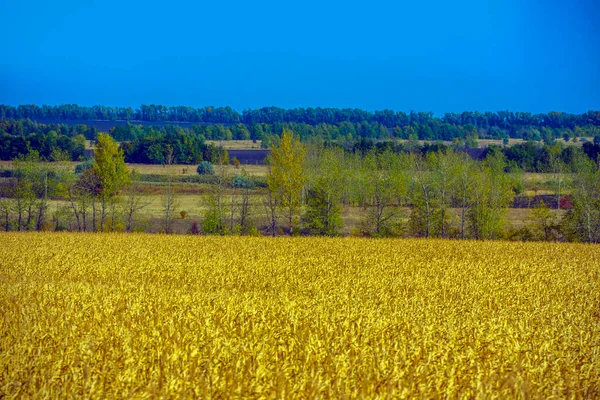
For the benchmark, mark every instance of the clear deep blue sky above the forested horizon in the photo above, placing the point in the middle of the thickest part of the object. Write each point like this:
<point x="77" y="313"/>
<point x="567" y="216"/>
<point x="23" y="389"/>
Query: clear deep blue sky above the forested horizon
<point x="440" y="56"/>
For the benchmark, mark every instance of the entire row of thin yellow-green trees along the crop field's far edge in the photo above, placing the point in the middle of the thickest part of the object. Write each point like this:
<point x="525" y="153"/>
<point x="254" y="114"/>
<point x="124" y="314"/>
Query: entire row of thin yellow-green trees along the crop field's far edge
<point x="444" y="194"/>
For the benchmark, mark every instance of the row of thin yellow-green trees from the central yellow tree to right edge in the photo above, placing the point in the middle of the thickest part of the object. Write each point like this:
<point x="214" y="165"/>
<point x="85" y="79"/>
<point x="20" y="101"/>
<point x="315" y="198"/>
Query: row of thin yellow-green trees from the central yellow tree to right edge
<point x="442" y="194"/>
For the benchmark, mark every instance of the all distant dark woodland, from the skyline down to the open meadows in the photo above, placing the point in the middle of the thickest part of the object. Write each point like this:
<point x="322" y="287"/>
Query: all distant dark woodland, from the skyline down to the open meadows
<point x="353" y="130"/>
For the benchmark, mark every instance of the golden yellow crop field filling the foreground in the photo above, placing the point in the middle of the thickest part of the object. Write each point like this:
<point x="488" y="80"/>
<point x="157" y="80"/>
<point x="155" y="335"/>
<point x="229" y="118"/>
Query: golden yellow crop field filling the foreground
<point x="117" y="315"/>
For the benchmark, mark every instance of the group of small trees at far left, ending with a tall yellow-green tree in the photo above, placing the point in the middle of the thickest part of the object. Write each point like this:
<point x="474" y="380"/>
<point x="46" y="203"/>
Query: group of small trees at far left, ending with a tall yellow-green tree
<point x="91" y="192"/>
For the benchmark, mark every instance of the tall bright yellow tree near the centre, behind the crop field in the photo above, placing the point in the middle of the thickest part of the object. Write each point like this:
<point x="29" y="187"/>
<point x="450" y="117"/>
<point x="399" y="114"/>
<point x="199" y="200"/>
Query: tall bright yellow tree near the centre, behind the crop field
<point x="286" y="177"/>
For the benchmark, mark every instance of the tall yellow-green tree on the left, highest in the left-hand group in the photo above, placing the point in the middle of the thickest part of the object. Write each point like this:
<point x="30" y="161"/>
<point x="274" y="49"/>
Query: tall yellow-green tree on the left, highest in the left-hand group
<point x="109" y="165"/>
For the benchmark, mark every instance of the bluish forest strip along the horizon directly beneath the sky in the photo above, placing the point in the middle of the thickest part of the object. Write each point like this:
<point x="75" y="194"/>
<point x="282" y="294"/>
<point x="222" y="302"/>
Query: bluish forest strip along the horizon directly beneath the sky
<point x="495" y="125"/>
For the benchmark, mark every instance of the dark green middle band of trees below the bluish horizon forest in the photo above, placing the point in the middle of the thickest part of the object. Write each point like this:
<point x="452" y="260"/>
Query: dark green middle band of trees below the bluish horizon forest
<point x="149" y="145"/>
